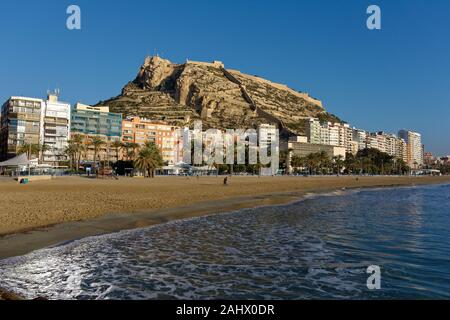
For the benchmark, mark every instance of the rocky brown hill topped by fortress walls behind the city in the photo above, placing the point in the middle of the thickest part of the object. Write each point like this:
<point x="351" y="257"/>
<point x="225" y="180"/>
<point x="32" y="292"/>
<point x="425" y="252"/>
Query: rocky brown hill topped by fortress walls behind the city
<point x="223" y="99"/>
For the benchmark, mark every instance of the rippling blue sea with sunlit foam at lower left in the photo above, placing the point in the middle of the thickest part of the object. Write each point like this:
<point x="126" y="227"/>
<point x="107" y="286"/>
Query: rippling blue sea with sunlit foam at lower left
<point x="391" y="243"/>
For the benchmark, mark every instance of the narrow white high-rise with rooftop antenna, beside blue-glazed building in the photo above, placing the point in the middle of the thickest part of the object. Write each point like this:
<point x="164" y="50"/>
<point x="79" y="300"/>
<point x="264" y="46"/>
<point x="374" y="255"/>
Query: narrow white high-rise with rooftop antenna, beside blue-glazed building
<point x="55" y="129"/>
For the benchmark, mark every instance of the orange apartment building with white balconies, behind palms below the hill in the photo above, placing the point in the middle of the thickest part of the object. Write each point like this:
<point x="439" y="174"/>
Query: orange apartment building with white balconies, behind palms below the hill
<point x="166" y="137"/>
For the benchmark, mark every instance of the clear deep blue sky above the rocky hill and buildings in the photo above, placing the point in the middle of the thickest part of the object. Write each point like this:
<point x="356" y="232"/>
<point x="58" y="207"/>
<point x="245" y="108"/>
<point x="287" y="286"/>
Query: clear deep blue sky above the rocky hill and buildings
<point x="398" y="77"/>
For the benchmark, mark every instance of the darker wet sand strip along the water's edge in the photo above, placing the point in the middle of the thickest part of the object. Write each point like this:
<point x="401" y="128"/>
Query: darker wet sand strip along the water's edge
<point x="22" y="243"/>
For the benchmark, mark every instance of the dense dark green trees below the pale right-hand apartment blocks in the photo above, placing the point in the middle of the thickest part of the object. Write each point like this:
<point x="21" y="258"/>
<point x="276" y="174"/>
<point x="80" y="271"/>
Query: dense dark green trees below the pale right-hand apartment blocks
<point x="367" y="161"/>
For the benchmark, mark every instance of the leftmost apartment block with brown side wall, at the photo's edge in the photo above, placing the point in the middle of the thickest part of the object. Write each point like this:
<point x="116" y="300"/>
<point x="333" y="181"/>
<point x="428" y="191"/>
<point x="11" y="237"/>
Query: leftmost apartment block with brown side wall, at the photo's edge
<point x="20" y="124"/>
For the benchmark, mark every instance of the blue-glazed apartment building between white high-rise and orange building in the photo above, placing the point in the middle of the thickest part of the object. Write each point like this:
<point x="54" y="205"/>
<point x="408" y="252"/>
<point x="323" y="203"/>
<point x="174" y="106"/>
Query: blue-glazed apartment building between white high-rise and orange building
<point x="99" y="122"/>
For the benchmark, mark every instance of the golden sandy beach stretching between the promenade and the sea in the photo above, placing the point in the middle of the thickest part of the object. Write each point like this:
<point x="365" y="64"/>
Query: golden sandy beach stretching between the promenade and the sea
<point x="47" y="213"/>
